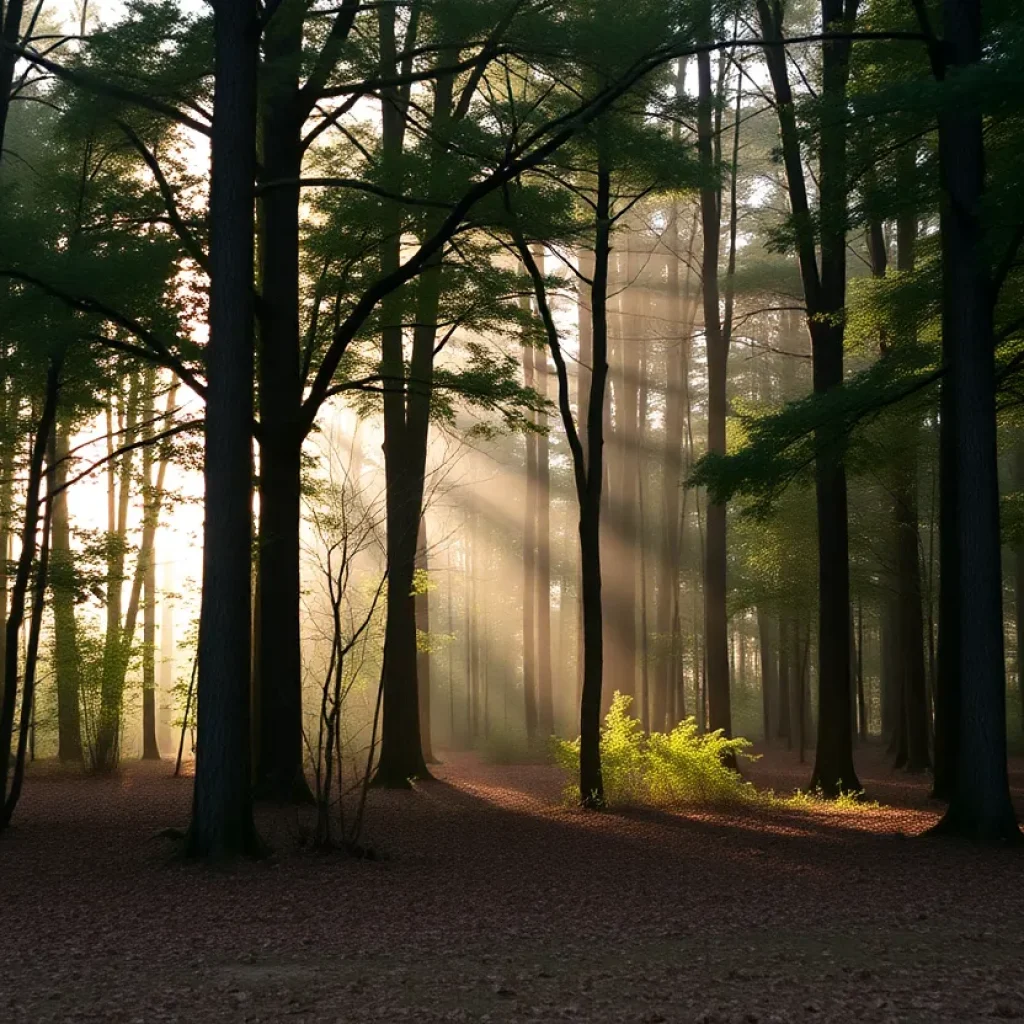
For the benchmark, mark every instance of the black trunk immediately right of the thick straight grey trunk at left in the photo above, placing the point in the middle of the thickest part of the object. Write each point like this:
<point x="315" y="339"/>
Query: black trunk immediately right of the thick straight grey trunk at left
<point x="280" y="775"/>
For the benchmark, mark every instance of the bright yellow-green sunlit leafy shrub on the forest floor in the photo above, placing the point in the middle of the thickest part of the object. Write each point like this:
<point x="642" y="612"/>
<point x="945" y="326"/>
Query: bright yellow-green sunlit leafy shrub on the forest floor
<point x="685" y="766"/>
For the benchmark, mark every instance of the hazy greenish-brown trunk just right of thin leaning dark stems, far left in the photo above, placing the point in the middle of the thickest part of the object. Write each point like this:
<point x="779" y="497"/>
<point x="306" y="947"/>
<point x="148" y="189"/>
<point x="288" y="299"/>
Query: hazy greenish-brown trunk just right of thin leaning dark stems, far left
<point x="67" y="659"/>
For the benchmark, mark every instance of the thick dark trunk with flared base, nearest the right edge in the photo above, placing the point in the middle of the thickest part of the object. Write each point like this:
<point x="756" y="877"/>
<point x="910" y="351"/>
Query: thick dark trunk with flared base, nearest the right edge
<point x="980" y="806"/>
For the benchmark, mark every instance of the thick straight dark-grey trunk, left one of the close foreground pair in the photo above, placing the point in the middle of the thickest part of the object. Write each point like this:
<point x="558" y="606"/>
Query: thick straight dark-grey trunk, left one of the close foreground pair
<point x="223" y="823"/>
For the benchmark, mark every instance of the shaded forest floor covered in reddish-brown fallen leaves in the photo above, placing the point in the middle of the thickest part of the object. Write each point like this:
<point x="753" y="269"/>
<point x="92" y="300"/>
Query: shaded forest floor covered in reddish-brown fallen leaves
<point x="496" y="904"/>
